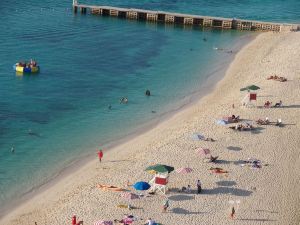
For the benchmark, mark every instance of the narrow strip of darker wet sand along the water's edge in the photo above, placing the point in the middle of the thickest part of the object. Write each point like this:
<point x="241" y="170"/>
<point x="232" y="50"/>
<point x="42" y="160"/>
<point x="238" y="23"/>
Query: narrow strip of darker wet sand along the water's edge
<point x="209" y="84"/>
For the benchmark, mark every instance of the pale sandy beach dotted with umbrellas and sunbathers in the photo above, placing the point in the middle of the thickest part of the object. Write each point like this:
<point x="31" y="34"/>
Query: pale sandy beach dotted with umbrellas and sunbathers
<point x="266" y="195"/>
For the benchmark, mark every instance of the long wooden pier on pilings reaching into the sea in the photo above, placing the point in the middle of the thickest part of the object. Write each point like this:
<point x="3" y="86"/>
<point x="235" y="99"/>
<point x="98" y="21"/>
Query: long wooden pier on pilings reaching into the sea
<point x="184" y="19"/>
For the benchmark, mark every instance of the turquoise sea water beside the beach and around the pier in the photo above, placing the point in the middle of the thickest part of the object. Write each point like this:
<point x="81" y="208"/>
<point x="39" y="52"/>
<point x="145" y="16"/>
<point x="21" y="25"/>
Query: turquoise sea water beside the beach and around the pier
<point x="90" y="62"/>
